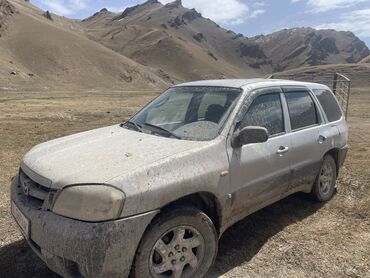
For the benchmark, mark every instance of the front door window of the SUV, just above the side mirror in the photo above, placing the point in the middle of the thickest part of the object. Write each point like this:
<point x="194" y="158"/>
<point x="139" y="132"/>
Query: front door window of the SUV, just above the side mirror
<point x="265" y="111"/>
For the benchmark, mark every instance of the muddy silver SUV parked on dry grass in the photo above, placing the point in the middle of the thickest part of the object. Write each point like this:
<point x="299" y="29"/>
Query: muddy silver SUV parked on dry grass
<point x="151" y="197"/>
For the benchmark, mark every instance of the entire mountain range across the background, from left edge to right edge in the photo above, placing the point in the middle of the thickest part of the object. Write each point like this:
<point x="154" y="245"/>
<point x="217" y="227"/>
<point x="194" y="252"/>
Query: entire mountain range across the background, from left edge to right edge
<point x="151" y="45"/>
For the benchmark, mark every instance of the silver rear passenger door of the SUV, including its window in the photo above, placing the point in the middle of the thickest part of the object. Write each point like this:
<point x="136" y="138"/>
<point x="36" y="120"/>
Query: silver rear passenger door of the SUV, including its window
<point x="305" y="123"/>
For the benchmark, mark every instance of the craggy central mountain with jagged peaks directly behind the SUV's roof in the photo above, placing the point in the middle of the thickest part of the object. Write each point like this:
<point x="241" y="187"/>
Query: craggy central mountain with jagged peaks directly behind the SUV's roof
<point x="177" y="42"/>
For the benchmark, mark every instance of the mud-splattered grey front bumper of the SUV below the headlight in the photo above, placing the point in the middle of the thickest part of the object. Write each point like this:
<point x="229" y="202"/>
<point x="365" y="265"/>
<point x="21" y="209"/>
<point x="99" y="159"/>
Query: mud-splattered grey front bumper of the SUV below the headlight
<point x="74" y="248"/>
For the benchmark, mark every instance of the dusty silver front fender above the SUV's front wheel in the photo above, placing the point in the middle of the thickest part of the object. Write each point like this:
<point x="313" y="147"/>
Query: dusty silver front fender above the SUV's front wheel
<point x="156" y="185"/>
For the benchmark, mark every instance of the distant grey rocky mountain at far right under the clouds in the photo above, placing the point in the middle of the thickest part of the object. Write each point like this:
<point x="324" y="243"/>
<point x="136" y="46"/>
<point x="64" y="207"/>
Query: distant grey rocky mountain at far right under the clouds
<point x="291" y="48"/>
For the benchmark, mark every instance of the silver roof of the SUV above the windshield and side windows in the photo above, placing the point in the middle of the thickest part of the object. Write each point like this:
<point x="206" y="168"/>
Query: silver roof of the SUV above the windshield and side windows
<point x="253" y="83"/>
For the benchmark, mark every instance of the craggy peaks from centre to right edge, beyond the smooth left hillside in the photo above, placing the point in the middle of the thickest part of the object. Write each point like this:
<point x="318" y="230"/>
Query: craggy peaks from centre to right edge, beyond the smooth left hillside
<point x="181" y="43"/>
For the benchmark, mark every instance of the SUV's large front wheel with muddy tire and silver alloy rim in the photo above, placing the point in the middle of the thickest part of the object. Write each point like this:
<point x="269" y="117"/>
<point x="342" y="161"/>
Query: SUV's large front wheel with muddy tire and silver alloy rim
<point x="180" y="243"/>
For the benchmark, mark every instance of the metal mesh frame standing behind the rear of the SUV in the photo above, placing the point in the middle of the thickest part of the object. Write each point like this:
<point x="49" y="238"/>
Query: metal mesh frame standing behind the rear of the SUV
<point x="340" y="84"/>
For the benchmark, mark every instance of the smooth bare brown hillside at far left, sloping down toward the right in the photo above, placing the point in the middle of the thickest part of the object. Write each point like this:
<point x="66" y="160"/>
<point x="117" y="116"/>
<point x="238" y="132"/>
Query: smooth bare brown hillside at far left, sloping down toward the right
<point x="36" y="51"/>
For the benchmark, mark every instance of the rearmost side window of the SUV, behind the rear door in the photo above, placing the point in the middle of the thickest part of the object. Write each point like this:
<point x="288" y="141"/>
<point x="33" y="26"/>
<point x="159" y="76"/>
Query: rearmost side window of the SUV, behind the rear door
<point x="329" y="104"/>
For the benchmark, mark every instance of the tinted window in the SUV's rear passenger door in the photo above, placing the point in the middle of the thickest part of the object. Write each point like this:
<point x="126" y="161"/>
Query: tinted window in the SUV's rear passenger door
<point x="302" y="109"/>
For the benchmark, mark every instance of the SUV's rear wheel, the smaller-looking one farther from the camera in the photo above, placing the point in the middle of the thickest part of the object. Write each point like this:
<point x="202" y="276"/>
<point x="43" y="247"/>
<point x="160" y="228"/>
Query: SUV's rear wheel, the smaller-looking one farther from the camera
<point x="324" y="186"/>
